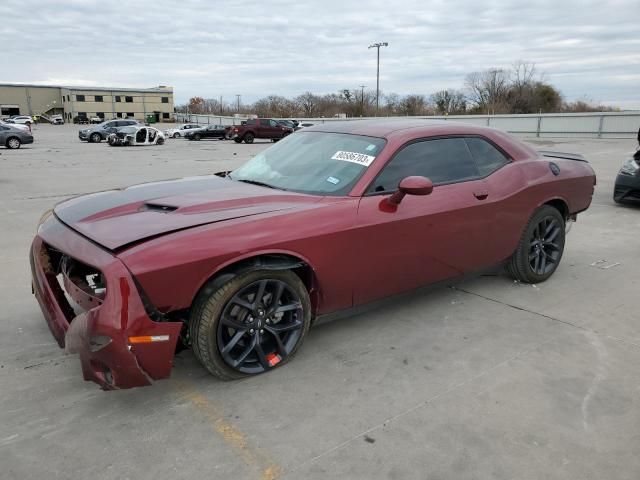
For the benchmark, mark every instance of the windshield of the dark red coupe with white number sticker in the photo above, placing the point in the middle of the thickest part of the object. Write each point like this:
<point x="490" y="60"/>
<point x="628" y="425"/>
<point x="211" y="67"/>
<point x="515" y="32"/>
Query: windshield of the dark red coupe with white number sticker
<point x="312" y="162"/>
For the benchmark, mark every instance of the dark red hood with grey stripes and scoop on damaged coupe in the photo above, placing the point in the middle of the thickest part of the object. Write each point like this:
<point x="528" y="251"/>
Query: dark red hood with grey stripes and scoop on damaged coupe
<point x="117" y="218"/>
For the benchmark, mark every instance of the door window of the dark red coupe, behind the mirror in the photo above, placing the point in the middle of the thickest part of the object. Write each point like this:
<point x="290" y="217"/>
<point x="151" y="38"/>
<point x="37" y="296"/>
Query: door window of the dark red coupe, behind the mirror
<point x="445" y="160"/>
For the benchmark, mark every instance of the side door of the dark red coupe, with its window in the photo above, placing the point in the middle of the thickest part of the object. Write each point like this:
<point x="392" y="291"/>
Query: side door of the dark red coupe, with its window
<point x="425" y="238"/>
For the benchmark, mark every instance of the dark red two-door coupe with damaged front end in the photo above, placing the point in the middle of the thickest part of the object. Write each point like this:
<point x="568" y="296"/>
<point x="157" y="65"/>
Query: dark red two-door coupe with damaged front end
<point x="238" y="265"/>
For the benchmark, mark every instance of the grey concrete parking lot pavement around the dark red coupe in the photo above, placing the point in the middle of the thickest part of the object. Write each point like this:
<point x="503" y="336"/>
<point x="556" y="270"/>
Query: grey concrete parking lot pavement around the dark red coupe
<point x="483" y="379"/>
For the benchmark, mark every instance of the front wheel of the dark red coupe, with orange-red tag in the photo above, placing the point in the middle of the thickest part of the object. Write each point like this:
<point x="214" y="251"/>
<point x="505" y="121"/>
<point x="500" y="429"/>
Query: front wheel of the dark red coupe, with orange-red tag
<point x="251" y="324"/>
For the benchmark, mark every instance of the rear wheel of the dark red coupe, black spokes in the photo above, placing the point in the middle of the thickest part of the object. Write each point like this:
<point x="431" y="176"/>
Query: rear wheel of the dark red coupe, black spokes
<point x="541" y="247"/>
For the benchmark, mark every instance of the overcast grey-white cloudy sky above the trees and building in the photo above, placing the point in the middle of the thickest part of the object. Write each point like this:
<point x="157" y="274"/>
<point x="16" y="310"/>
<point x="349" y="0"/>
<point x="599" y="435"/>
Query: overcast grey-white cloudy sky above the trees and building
<point x="258" y="47"/>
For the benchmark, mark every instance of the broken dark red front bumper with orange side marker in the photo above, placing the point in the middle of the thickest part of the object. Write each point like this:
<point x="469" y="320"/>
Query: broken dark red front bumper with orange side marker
<point x="107" y="324"/>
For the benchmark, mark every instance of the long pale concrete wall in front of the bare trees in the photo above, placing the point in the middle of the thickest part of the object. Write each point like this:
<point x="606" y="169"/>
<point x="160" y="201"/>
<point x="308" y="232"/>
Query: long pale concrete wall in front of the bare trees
<point x="590" y="125"/>
